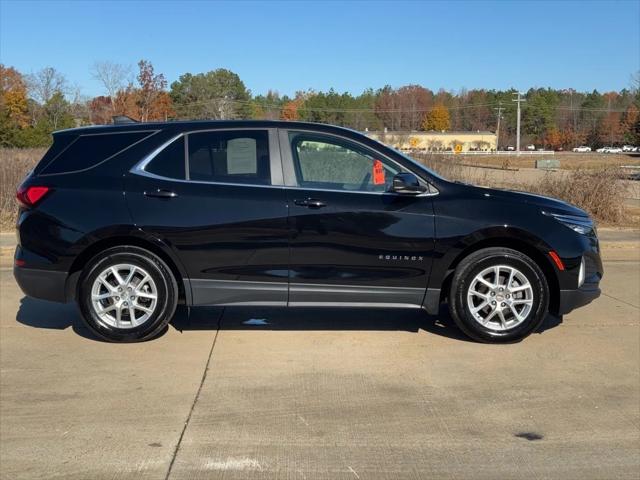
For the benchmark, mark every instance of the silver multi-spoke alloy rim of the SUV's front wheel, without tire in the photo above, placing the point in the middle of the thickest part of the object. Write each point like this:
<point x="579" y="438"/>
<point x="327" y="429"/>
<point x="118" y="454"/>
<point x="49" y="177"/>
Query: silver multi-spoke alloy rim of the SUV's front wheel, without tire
<point x="500" y="297"/>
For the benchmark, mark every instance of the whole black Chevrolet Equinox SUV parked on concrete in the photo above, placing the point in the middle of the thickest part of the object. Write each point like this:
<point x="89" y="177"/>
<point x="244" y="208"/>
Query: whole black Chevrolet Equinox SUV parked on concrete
<point x="130" y="220"/>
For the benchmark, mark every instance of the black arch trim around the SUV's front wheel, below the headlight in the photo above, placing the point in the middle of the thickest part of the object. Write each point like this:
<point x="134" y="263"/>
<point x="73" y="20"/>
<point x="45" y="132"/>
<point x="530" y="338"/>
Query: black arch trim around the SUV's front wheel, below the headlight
<point x="514" y="243"/>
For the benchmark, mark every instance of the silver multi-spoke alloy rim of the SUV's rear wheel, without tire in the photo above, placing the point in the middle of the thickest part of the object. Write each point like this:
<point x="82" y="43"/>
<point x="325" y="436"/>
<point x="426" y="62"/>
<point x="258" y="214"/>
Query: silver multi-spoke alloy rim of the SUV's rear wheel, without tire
<point x="124" y="296"/>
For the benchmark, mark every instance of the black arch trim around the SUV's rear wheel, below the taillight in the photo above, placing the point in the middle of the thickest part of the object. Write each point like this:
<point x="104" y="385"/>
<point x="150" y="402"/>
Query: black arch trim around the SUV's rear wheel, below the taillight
<point x="154" y="246"/>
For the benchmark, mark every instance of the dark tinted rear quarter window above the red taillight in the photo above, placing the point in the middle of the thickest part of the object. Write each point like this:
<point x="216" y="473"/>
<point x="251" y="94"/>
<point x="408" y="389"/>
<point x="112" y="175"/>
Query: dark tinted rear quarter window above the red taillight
<point x="89" y="150"/>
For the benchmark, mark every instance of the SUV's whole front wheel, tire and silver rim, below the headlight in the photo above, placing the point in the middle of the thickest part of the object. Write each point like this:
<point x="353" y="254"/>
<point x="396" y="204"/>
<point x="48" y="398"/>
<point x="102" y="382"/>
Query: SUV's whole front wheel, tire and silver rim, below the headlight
<point x="498" y="295"/>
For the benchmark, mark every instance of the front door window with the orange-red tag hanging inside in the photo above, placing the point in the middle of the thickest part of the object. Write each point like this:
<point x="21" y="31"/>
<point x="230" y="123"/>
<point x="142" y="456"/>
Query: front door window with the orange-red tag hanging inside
<point x="330" y="163"/>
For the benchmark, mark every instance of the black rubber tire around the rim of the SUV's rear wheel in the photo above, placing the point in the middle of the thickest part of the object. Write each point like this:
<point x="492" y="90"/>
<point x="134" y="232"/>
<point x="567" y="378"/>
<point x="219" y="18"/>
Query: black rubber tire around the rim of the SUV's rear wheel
<point x="167" y="293"/>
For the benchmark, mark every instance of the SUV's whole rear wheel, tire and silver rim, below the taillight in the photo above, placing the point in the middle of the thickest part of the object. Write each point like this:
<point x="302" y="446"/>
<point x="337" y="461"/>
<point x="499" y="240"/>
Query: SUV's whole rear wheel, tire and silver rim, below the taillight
<point x="127" y="294"/>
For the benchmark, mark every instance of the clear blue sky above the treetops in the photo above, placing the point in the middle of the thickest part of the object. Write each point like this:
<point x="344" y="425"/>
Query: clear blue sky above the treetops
<point x="289" y="46"/>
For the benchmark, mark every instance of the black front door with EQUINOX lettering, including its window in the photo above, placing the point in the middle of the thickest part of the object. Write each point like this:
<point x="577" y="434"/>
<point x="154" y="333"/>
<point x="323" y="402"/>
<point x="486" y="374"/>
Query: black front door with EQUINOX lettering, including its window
<point x="351" y="240"/>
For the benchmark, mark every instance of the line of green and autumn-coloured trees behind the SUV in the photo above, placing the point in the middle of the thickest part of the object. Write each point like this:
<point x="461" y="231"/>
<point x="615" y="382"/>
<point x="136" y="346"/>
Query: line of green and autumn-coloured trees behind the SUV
<point x="34" y="105"/>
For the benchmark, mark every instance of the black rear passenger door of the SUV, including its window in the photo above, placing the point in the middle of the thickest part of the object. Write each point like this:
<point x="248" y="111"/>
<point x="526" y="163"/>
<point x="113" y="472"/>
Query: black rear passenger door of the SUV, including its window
<point x="216" y="198"/>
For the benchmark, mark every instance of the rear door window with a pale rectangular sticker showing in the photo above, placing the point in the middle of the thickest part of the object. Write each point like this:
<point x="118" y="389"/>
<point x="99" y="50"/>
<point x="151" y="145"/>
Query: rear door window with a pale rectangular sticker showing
<point x="230" y="157"/>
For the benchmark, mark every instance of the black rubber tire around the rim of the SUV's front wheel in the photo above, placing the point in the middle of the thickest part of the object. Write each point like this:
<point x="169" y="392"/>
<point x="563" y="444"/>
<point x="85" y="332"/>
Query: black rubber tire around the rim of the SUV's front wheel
<point x="473" y="265"/>
